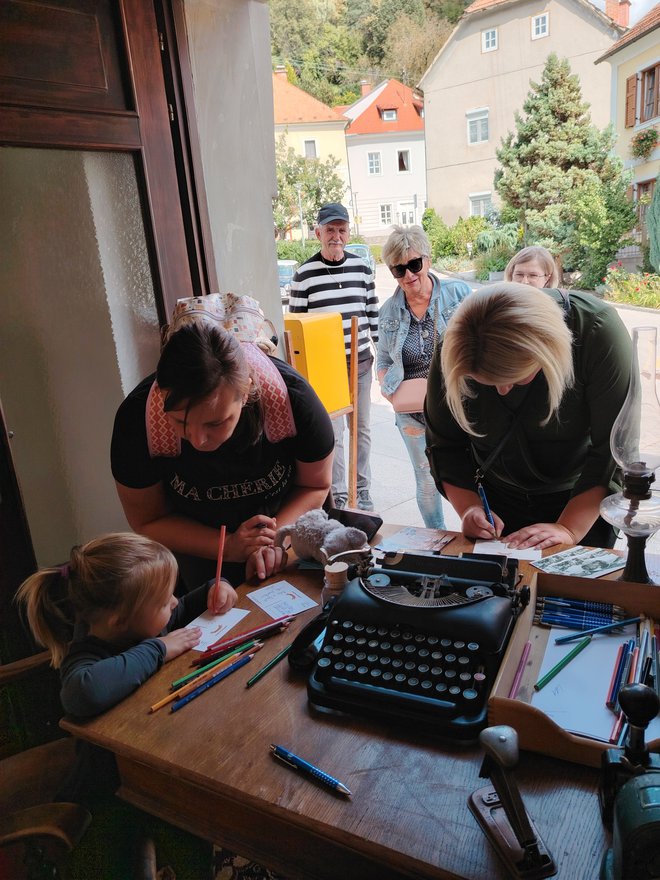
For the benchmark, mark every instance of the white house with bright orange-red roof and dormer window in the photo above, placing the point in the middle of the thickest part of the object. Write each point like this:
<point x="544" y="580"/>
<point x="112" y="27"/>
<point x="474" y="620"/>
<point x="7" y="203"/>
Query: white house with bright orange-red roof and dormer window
<point x="386" y="158"/>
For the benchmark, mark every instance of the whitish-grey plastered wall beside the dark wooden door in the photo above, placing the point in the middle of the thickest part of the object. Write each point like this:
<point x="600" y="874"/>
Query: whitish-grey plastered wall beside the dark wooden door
<point x="229" y="44"/>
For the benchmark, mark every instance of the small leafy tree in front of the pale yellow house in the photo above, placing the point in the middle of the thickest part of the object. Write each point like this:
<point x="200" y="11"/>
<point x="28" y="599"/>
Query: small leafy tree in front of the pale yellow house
<point x="317" y="181"/>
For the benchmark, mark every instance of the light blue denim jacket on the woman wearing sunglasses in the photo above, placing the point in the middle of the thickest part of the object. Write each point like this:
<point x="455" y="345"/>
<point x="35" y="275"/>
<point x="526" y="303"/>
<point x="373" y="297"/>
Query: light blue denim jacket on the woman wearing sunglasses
<point x="394" y="323"/>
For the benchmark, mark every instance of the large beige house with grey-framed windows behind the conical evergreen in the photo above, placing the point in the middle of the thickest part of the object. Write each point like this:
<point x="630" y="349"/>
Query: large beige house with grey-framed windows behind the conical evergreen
<point x="482" y="75"/>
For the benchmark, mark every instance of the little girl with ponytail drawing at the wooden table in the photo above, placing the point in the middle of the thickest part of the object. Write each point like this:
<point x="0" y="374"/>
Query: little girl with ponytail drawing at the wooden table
<point x="110" y="619"/>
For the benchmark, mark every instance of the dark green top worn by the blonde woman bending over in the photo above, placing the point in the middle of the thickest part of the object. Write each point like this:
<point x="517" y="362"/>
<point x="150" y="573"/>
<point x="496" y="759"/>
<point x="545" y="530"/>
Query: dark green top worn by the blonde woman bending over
<point x="573" y="450"/>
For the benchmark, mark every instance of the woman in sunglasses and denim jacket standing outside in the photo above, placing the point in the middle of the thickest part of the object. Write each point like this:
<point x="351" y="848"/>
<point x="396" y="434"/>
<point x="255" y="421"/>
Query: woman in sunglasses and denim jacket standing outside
<point x="409" y="323"/>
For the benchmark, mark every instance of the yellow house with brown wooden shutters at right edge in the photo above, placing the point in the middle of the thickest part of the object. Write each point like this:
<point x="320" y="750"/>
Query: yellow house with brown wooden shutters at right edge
<point x="635" y="67"/>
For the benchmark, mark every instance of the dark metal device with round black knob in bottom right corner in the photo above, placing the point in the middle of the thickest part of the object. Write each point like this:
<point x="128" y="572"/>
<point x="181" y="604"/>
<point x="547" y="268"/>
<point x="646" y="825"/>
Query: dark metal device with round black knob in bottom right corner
<point x="630" y="794"/>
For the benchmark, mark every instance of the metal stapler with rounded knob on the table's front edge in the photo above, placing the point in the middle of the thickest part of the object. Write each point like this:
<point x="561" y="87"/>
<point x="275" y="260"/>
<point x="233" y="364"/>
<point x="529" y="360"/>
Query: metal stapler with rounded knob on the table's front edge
<point x="500" y="810"/>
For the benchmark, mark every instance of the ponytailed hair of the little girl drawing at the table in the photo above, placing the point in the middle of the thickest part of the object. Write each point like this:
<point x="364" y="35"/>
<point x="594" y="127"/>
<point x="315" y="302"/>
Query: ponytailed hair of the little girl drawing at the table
<point x="114" y="572"/>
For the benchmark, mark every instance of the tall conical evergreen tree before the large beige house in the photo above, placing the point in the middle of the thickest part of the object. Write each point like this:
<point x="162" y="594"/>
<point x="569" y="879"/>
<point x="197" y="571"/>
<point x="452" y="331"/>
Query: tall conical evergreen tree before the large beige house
<point x="555" y="158"/>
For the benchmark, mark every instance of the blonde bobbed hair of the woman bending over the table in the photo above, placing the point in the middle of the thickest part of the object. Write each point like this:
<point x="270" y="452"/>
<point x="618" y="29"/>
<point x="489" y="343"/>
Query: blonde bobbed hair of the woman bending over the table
<point x="503" y="333"/>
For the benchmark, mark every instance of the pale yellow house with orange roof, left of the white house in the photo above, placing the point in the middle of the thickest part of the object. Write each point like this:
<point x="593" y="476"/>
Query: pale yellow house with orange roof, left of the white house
<point x="313" y="129"/>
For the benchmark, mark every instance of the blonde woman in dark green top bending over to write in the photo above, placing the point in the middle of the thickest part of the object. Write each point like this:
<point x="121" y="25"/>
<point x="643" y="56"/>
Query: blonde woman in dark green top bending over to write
<point x="521" y="400"/>
